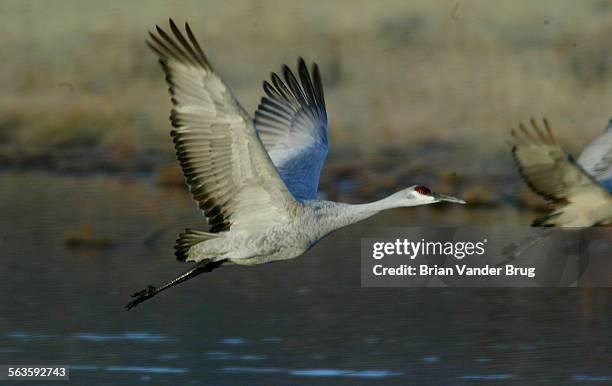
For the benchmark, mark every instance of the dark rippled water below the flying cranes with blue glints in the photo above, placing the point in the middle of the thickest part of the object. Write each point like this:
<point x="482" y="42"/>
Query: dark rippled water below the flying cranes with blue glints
<point x="301" y="322"/>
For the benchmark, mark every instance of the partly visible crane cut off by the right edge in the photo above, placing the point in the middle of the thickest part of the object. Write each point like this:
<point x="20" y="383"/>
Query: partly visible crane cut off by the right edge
<point x="579" y="191"/>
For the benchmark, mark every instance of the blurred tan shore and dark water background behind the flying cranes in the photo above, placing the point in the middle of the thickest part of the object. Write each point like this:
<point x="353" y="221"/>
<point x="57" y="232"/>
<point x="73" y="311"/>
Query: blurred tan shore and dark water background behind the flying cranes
<point x="424" y="92"/>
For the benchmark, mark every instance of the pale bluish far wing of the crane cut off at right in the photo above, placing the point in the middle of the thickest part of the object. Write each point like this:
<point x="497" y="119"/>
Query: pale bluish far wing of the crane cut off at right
<point x="596" y="159"/>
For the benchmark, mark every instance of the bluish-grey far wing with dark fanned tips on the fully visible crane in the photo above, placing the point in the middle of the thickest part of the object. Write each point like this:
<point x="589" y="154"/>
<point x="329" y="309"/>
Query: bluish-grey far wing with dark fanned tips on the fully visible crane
<point x="292" y="123"/>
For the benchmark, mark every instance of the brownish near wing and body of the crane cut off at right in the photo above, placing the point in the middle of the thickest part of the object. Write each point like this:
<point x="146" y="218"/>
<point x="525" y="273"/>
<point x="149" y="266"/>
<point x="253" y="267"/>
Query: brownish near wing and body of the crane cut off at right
<point x="578" y="199"/>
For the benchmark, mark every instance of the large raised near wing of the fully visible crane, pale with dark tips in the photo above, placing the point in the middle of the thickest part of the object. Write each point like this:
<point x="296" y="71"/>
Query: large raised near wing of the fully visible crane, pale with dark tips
<point x="225" y="165"/>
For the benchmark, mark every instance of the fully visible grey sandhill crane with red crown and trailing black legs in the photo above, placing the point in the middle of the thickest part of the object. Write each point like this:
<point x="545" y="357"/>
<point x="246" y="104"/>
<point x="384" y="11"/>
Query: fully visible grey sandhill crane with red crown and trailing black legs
<point x="254" y="179"/>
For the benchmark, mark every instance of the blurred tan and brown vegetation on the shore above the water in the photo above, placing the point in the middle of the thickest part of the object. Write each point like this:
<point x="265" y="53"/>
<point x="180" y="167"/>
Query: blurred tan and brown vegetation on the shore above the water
<point x="410" y="85"/>
